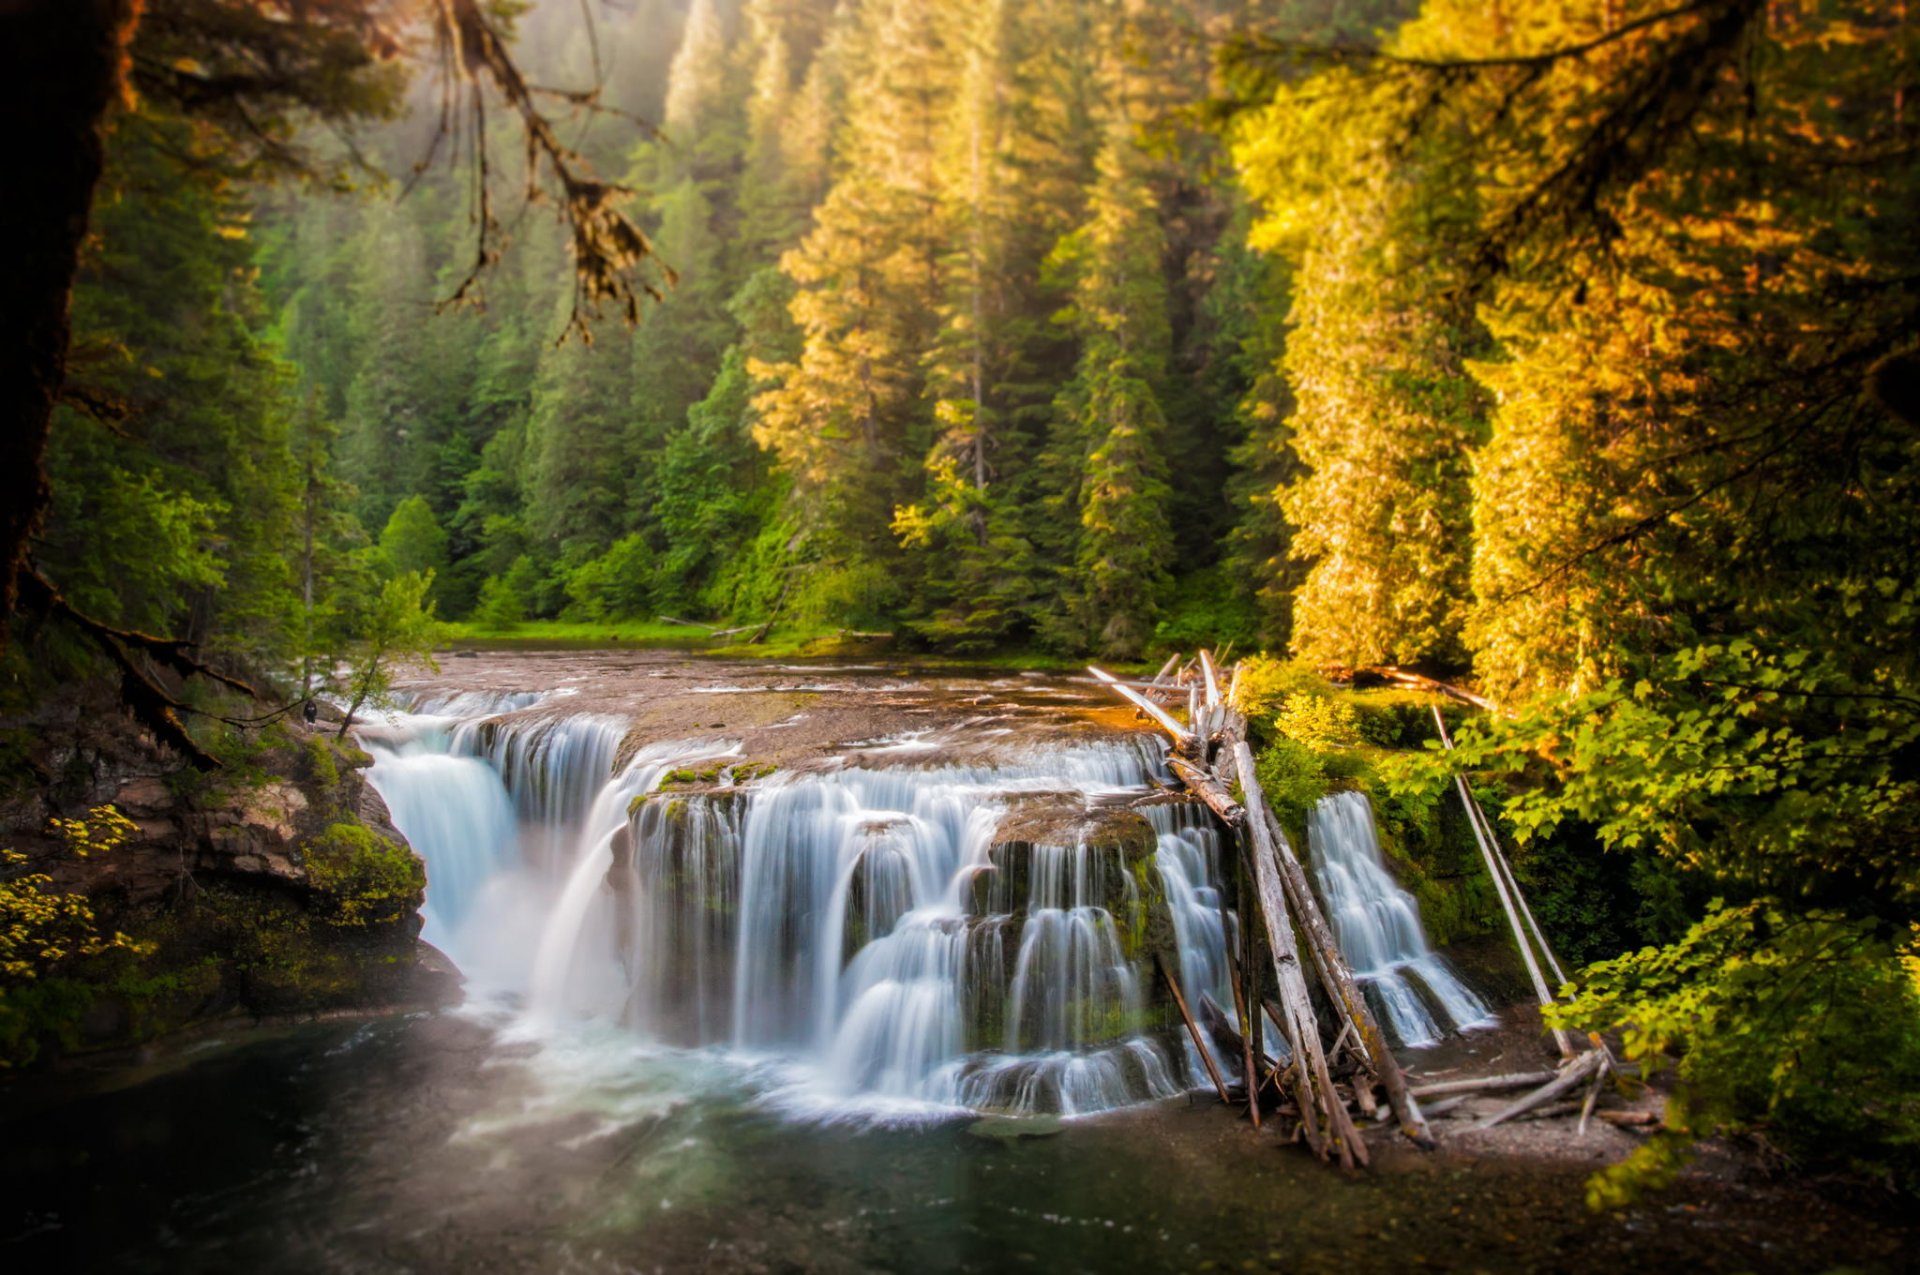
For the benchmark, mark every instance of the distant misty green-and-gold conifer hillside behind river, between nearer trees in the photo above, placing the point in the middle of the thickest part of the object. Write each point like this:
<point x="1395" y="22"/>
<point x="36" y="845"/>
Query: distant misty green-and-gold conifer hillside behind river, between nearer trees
<point x="963" y="341"/>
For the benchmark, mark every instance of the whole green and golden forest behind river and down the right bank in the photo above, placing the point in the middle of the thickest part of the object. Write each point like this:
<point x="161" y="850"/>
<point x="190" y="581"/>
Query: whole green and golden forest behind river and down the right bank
<point x="1568" y="349"/>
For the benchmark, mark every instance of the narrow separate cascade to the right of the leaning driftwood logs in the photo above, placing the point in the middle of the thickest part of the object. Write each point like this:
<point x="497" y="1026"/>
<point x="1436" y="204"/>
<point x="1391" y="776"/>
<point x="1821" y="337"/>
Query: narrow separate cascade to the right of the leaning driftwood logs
<point x="1380" y="928"/>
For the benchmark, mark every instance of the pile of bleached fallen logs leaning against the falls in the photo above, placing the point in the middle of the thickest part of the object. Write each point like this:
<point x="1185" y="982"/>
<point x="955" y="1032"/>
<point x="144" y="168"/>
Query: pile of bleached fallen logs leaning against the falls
<point x="1333" y="1063"/>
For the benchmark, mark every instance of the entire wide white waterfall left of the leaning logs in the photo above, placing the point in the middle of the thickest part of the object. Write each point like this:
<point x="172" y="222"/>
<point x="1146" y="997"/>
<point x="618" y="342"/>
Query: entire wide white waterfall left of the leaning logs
<point x="852" y="925"/>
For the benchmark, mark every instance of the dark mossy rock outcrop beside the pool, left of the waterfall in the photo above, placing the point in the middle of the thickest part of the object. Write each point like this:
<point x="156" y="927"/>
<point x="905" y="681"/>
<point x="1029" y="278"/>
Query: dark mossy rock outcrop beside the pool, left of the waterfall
<point x="276" y="886"/>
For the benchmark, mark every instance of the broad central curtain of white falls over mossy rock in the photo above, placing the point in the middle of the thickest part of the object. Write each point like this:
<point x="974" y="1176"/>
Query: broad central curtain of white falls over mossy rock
<point x="884" y="928"/>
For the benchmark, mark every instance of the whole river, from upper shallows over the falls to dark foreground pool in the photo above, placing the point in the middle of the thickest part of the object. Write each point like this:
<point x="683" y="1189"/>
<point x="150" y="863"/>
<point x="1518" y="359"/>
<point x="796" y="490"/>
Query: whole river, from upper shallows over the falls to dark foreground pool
<point x="752" y="1022"/>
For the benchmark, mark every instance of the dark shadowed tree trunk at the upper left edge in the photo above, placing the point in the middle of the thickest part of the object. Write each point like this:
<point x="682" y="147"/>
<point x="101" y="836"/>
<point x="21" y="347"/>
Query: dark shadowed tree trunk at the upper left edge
<point x="60" y="70"/>
